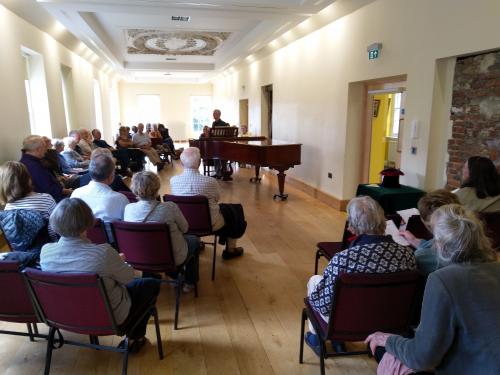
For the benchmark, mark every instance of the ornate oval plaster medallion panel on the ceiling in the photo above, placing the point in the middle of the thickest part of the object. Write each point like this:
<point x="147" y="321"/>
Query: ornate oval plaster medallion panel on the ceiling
<point x="157" y="42"/>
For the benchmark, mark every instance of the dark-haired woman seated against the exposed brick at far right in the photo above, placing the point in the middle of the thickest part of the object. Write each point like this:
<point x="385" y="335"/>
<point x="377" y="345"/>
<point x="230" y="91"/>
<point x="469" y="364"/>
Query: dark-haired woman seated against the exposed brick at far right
<point x="480" y="190"/>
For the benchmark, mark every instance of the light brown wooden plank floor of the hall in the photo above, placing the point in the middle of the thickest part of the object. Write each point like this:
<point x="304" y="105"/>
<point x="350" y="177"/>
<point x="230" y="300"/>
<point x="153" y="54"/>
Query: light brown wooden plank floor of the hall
<point x="245" y="322"/>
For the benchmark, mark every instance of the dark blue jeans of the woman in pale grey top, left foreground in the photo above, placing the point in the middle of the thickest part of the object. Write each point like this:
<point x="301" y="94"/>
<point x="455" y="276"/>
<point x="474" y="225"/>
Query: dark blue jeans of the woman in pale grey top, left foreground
<point x="143" y="292"/>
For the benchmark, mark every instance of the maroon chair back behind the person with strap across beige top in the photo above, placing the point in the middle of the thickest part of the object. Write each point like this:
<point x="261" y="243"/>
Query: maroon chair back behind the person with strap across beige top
<point x="147" y="246"/>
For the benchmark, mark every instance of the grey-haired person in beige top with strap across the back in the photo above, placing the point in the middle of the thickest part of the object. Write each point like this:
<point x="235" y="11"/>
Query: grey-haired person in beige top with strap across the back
<point x="146" y="186"/>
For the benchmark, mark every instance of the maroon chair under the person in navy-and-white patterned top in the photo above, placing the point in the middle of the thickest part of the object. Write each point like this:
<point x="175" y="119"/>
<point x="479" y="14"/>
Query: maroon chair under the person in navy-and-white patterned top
<point x="364" y="303"/>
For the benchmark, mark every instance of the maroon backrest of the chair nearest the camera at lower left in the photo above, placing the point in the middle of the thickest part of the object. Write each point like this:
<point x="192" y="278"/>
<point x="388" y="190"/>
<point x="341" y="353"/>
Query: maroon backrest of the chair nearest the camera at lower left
<point x="75" y="302"/>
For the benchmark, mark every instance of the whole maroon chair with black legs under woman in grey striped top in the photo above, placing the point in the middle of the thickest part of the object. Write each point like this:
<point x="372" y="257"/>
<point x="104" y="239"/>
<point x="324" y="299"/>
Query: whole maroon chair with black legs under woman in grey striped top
<point x="78" y="303"/>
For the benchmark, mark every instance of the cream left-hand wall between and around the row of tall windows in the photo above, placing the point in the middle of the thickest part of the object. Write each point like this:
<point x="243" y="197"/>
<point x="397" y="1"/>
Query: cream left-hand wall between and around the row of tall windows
<point x="14" y="120"/>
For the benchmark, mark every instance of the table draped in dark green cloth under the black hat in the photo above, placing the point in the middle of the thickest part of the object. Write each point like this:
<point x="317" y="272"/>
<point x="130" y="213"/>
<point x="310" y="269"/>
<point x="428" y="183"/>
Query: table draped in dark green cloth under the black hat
<point x="392" y="199"/>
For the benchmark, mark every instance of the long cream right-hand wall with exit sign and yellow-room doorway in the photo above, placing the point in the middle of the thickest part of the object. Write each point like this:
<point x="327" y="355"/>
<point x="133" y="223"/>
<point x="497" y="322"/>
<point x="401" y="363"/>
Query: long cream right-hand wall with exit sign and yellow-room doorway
<point x="311" y="77"/>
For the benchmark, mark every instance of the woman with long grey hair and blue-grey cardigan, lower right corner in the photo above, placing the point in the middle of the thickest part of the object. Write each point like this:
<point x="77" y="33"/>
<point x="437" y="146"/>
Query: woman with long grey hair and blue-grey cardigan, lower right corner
<point x="458" y="331"/>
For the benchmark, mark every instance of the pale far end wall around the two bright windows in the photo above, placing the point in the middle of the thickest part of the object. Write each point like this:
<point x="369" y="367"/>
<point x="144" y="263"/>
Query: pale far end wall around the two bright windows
<point x="174" y="100"/>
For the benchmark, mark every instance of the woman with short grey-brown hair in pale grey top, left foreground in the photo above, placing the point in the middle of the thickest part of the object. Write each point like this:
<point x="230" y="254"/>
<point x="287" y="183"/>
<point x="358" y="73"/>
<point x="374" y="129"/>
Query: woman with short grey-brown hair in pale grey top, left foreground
<point x="75" y="253"/>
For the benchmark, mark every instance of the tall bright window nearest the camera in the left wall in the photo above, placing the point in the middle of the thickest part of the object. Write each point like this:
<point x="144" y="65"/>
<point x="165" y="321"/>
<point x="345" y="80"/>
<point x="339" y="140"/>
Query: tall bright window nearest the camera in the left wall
<point x="36" y="93"/>
